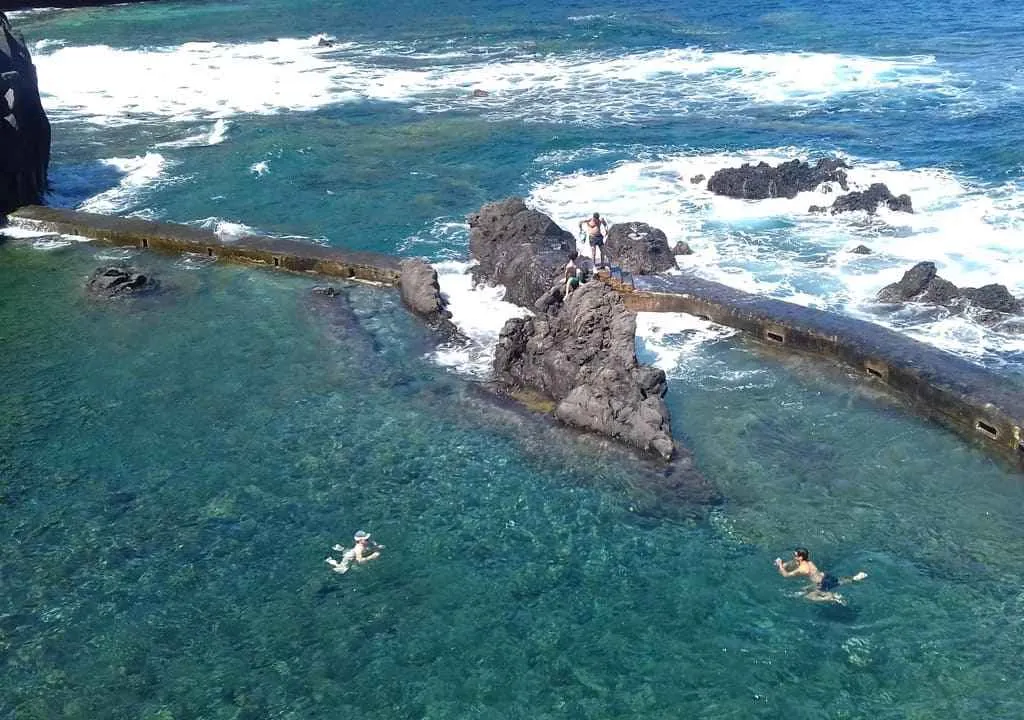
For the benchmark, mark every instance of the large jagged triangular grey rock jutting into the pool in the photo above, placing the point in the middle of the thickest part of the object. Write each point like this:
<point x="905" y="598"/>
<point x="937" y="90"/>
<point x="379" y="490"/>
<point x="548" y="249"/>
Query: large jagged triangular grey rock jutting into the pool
<point x="583" y="357"/>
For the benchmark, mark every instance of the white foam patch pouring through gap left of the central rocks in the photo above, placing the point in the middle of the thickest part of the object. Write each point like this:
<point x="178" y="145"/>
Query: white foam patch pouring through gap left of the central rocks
<point x="480" y="312"/>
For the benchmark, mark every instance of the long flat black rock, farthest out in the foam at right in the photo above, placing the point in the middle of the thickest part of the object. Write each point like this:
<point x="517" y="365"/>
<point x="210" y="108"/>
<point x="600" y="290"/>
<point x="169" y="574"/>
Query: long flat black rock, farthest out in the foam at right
<point x="763" y="181"/>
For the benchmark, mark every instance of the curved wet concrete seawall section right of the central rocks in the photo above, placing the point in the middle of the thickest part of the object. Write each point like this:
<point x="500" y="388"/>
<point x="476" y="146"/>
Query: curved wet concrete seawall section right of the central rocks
<point x="976" y="403"/>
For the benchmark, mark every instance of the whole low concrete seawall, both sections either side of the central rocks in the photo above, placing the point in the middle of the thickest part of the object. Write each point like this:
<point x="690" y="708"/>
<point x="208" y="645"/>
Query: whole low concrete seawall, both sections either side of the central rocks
<point x="977" y="403"/>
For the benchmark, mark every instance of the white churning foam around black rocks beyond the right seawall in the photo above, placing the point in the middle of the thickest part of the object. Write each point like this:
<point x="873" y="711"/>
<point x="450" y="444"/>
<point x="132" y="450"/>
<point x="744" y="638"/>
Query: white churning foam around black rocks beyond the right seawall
<point x="777" y="247"/>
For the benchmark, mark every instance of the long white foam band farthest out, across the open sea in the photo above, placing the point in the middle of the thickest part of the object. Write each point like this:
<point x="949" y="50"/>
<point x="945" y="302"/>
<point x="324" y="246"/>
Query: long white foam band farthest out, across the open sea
<point x="203" y="81"/>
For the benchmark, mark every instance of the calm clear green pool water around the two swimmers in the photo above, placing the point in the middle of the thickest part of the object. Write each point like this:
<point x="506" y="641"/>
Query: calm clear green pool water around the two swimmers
<point x="177" y="469"/>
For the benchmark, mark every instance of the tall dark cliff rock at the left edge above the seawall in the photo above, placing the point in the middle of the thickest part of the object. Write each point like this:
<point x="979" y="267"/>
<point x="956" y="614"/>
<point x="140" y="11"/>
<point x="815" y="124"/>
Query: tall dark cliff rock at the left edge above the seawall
<point x="25" y="131"/>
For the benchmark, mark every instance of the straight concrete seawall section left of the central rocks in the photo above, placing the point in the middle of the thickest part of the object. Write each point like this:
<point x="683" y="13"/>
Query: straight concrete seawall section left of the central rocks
<point x="174" y="238"/>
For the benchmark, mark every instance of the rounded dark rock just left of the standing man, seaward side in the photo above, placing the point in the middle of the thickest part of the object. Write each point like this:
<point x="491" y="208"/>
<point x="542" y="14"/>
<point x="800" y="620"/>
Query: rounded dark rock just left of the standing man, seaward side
<point x="523" y="249"/>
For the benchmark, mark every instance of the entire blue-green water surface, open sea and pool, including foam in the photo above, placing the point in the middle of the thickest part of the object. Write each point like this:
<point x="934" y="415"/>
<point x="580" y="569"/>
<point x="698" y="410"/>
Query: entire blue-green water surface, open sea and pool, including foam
<point x="175" y="470"/>
